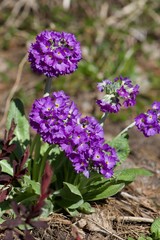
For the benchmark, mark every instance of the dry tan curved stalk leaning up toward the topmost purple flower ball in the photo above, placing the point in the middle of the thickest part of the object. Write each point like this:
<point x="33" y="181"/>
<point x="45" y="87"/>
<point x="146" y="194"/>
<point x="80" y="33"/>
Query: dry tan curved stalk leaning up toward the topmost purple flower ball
<point x="14" y="89"/>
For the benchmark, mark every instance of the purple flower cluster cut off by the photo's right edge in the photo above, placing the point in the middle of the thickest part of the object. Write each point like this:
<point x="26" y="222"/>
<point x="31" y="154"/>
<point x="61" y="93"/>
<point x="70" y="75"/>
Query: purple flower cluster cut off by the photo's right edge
<point x="149" y="122"/>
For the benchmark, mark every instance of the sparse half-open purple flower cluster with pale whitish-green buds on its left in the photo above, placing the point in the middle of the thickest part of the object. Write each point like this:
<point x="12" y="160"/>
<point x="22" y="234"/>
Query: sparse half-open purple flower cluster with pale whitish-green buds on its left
<point x="120" y="92"/>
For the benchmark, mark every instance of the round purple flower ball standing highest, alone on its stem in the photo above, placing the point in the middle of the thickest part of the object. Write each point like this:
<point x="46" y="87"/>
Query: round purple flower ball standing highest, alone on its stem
<point x="54" y="53"/>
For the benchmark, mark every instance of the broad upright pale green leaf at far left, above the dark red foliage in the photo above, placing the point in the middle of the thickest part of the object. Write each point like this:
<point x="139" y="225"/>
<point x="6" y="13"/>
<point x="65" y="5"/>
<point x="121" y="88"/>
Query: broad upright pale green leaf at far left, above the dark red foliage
<point x="16" y="111"/>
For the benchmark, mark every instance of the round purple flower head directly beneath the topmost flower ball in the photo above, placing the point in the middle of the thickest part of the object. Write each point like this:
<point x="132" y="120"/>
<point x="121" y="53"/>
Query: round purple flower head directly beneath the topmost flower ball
<point x="53" y="116"/>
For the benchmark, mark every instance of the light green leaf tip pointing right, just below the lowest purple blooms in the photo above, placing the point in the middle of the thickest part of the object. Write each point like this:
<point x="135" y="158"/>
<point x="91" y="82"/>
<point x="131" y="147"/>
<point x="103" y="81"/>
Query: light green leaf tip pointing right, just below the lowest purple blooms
<point x="129" y="175"/>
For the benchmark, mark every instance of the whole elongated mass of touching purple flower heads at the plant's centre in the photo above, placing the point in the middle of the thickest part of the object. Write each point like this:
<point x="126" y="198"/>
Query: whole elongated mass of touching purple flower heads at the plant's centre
<point x="58" y="121"/>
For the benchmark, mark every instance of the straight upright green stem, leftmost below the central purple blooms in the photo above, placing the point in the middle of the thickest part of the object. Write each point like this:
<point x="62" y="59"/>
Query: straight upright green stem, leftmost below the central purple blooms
<point x="36" y="159"/>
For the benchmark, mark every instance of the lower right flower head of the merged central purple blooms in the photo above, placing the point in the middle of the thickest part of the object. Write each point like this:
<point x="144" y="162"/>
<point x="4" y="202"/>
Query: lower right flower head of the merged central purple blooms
<point x="89" y="151"/>
